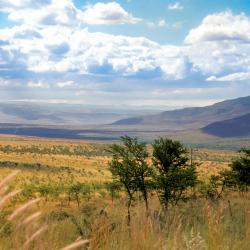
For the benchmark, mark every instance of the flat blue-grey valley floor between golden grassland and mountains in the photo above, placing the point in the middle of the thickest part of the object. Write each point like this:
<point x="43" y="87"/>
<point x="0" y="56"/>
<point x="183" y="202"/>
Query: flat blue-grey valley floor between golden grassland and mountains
<point x="109" y="133"/>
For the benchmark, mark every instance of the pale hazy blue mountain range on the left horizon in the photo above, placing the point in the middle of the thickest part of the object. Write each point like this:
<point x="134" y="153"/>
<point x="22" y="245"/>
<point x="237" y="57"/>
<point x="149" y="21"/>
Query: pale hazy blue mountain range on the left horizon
<point x="63" y="114"/>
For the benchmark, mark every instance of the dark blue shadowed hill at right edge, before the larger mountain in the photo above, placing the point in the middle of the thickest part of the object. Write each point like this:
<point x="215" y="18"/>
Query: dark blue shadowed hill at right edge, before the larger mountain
<point x="235" y="127"/>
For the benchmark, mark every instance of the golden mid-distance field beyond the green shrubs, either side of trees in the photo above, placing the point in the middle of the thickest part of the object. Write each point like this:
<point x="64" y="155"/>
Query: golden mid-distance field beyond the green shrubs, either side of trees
<point x="86" y="161"/>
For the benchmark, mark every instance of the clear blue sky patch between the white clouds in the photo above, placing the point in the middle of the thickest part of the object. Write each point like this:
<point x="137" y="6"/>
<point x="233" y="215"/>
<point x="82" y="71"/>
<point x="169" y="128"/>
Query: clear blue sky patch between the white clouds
<point x="155" y="10"/>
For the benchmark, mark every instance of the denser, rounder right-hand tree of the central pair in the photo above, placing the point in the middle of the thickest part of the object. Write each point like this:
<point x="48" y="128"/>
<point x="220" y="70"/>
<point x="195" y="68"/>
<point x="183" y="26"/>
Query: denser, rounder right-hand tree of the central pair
<point x="174" y="173"/>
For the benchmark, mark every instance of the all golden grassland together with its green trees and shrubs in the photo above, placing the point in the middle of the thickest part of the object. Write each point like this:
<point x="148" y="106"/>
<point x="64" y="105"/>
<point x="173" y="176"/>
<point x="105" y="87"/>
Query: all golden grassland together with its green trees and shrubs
<point x="81" y="201"/>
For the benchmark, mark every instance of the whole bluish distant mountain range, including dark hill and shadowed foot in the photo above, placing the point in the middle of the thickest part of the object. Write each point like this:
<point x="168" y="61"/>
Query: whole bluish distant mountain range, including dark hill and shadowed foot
<point x="229" y="118"/>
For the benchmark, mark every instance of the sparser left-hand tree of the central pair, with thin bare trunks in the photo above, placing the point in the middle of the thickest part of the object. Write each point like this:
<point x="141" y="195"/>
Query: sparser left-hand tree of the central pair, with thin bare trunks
<point x="129" y="167"/>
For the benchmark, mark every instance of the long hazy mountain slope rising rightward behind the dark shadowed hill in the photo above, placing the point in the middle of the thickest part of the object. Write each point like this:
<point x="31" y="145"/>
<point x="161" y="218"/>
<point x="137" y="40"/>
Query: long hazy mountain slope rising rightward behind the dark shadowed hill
<point x="192" y="118"/>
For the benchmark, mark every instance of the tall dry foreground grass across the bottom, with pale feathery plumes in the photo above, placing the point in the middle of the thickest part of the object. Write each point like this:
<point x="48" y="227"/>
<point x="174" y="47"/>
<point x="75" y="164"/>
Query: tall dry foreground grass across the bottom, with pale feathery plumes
<point x="100" y="223"/>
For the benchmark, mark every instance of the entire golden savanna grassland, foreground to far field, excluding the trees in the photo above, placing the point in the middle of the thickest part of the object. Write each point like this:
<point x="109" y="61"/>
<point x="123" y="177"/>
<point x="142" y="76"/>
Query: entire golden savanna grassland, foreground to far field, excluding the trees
<point x="60" y="194"/>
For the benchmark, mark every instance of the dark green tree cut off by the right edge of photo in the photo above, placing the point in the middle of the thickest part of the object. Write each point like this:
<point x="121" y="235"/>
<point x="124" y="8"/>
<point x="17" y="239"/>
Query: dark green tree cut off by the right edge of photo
<point x="240" y="168"/>
